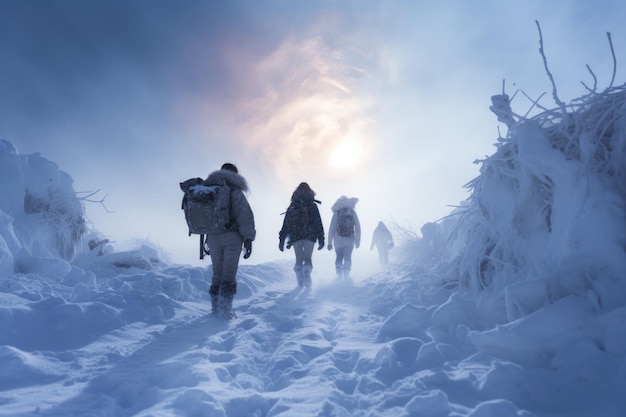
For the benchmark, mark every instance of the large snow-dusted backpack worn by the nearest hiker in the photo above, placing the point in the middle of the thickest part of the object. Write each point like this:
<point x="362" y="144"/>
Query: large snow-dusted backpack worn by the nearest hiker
<point x="207" y="209"/>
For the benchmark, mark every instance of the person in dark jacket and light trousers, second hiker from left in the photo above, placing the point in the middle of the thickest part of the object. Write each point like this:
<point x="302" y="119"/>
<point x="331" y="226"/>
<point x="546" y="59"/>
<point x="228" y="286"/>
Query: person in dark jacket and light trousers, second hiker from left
<point x="302" y="227"/>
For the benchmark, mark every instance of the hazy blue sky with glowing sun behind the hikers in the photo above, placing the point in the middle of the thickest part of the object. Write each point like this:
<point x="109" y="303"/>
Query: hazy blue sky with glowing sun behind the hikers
<point x="384" y="101"/>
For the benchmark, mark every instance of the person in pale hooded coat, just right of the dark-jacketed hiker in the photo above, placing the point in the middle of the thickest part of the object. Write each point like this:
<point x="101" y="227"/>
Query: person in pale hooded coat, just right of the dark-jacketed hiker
<point x="344" y="234"/>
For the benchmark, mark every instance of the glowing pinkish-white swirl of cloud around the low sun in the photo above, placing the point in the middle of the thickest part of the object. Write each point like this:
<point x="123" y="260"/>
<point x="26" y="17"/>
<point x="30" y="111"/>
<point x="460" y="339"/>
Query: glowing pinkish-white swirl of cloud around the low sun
<point x="309" y="107"/>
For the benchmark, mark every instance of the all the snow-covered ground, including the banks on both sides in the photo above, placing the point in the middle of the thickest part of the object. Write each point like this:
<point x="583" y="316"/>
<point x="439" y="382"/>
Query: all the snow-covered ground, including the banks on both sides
<point x="514" y="305"/>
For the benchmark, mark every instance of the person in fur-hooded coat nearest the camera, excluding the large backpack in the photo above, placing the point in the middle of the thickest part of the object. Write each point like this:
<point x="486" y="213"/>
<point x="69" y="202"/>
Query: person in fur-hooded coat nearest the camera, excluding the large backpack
<point x="225" y="248"/>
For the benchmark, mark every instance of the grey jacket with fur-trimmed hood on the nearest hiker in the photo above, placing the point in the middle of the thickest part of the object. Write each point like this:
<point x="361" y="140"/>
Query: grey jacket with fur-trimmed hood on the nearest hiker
<point x="240" y="211"/>
